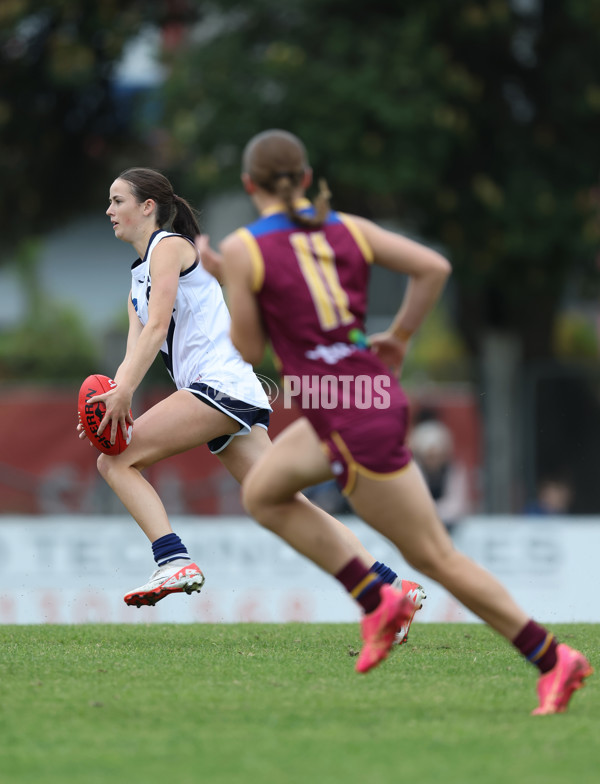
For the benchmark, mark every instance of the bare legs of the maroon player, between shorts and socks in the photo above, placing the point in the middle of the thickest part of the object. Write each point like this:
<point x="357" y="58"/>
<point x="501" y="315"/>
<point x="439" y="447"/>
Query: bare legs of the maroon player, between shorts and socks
<point x="400" y="508"/>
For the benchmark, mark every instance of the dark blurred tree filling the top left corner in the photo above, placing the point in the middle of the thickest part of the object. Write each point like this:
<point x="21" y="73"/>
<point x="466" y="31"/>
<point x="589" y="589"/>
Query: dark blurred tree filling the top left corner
<point x="61" y="122"/>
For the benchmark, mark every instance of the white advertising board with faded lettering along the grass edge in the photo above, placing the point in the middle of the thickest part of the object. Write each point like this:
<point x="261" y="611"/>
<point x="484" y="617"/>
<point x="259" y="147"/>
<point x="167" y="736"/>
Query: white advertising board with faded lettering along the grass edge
<point x="76" y="570"/>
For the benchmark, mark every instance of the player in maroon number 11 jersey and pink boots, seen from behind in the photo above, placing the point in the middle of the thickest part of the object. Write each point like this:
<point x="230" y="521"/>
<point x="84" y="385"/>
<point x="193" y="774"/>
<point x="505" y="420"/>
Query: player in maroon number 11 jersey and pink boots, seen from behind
<point x="298" y="277"/>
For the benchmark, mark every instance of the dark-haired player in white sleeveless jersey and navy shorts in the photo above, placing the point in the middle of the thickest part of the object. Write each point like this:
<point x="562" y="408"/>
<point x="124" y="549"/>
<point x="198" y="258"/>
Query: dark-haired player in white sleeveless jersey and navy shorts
<point x="177" y="308"/>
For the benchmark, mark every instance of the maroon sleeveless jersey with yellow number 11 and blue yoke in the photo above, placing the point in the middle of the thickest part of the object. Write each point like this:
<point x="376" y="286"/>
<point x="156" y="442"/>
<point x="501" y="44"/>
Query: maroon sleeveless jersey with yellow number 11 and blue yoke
<point x="311" y="286"/>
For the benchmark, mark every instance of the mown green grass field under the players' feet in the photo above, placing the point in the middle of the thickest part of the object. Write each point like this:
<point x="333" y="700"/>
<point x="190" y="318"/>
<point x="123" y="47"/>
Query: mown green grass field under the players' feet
<point x="266" y="704"/>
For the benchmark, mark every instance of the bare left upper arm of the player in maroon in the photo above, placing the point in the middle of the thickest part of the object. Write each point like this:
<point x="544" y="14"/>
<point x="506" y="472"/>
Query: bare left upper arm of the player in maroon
<point x="247" y="331"/>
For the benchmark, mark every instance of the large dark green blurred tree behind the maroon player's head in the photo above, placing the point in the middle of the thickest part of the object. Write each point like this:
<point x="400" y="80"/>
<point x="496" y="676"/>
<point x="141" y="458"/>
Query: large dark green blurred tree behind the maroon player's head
<point x="475" y="122"/>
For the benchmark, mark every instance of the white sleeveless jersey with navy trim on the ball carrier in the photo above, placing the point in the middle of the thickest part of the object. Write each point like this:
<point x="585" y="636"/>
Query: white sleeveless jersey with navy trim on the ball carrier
<point x="198" y="348"/>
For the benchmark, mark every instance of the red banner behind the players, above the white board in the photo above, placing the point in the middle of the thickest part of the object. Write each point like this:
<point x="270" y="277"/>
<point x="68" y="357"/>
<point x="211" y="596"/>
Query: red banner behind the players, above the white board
<point x="46" y="469"/>
